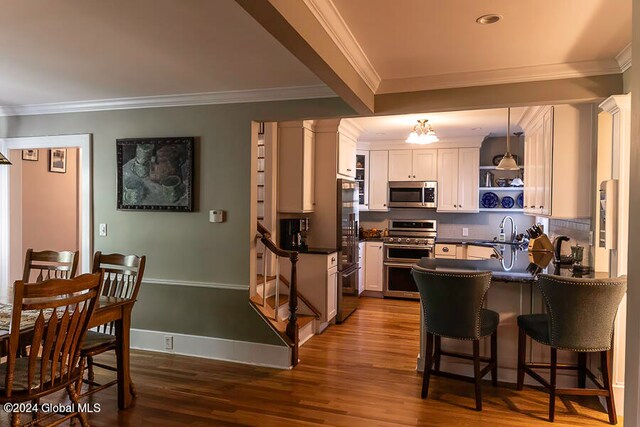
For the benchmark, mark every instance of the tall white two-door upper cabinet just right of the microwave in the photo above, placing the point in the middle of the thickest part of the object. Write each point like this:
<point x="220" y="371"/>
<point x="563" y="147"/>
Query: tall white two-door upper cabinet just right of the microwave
<point x="458" y="179"/>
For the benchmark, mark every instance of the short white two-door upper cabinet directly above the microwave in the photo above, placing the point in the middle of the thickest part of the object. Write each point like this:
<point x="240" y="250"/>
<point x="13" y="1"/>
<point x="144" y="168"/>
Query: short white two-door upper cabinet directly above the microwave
<point x="413" y="165"/>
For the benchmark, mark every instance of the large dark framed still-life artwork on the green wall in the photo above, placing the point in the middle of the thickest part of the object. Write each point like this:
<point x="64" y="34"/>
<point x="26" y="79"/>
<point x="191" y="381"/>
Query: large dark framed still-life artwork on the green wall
<point x="155" y="174"/>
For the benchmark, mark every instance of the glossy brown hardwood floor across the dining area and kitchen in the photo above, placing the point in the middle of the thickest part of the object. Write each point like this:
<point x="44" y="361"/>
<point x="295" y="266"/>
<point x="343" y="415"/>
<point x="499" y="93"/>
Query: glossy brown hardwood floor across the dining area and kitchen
<point x="361" y="373"/>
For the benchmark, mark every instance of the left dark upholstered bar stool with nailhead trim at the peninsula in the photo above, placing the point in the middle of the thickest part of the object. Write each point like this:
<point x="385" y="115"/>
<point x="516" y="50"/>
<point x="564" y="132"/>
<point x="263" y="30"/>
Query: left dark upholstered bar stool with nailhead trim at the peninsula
<point x="452" y="303"/>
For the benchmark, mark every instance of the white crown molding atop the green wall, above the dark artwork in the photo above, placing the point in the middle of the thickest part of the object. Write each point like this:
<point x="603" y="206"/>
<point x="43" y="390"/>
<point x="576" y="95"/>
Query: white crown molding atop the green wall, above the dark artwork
<point x="205" y="98"/>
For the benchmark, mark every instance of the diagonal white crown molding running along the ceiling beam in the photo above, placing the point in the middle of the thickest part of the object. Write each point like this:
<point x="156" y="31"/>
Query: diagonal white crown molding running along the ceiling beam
<point x="329" y="17"/>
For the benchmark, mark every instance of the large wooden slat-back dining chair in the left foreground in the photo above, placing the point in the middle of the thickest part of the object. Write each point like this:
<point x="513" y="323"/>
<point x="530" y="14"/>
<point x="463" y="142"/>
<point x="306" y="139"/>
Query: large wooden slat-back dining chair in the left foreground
<point x="56" y="314"/>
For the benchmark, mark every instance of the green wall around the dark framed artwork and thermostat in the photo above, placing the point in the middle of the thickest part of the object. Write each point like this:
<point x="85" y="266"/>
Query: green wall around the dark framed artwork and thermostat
<point x="184" y="246"/>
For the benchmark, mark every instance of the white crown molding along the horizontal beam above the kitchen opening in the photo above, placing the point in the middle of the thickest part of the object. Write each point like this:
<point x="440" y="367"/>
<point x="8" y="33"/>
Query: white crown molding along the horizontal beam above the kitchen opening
<point x="501" y="76"/>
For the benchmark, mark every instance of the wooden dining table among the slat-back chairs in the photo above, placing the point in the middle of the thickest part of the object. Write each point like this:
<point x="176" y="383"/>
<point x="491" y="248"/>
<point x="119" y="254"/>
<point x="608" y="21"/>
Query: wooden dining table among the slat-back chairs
<point x="109" y="309"/>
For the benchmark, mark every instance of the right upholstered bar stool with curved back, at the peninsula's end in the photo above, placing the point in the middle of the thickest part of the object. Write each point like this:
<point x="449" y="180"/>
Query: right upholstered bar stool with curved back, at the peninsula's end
<point x="580" y="318"/>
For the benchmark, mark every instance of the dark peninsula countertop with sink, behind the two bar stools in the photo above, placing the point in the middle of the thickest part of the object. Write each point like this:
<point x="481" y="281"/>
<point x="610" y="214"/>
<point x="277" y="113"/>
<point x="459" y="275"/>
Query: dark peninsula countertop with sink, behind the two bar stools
<point x="516" y="266"/>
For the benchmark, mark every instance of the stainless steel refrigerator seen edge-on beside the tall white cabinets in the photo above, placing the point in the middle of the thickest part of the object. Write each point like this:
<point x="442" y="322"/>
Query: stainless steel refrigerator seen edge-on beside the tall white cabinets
<point x="348" y="268"/>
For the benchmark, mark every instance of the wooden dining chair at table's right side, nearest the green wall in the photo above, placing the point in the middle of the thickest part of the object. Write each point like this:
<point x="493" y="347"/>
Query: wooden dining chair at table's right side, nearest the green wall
<point x="122" y="275"/>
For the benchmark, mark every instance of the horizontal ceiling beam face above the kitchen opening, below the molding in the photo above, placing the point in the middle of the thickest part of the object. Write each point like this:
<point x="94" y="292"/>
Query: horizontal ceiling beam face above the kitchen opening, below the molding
<point x="563" y="91"/>
